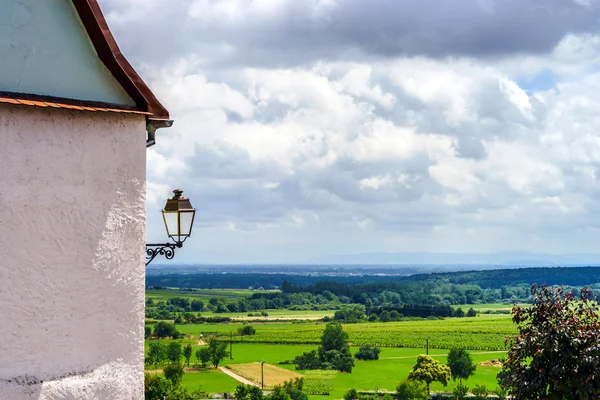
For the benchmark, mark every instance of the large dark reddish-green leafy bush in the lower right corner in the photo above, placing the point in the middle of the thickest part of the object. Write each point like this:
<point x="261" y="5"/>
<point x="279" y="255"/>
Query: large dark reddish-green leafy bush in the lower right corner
<point x="557" y="351"/>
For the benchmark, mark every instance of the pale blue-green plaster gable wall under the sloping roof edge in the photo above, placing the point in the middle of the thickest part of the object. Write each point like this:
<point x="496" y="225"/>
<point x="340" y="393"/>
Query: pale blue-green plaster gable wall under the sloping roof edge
<point x="45" y="50"/>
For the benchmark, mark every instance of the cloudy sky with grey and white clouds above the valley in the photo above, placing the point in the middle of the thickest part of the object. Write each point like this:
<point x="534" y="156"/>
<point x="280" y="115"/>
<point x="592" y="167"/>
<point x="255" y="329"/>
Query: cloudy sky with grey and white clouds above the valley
<point x="306" y="128"/>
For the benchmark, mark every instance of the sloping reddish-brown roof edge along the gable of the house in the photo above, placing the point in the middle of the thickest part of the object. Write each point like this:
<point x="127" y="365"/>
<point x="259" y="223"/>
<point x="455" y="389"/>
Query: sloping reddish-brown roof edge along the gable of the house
<point x="109" y="53"/>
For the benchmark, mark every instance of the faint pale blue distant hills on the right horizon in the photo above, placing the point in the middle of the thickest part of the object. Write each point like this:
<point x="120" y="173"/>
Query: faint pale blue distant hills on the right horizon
<point x="506" y="258"/>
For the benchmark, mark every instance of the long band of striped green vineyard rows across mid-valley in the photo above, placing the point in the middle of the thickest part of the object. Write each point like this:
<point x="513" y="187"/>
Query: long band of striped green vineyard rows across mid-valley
<point x="484" y="332"/>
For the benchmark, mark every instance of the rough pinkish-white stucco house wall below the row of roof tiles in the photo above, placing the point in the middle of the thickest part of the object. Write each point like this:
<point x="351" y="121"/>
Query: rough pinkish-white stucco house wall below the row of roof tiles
<point x="72" y="232"/>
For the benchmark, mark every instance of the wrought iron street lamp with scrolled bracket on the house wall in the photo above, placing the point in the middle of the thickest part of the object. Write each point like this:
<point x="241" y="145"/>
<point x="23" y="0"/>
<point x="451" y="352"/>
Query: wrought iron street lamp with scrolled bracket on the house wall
<point x="178" y="216"/>
